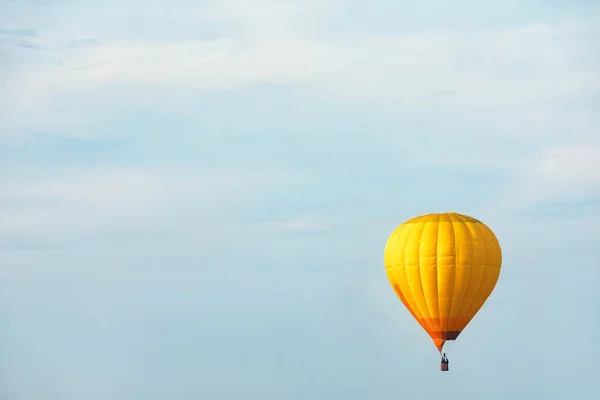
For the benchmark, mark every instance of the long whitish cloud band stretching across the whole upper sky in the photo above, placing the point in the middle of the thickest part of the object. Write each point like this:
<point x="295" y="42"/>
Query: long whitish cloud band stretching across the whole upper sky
<point x="507" y="68"/>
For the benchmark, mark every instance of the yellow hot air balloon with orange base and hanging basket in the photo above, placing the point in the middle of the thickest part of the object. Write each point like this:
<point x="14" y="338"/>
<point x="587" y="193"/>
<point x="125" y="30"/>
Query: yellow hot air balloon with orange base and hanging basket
<point x="443" y="267"/>
